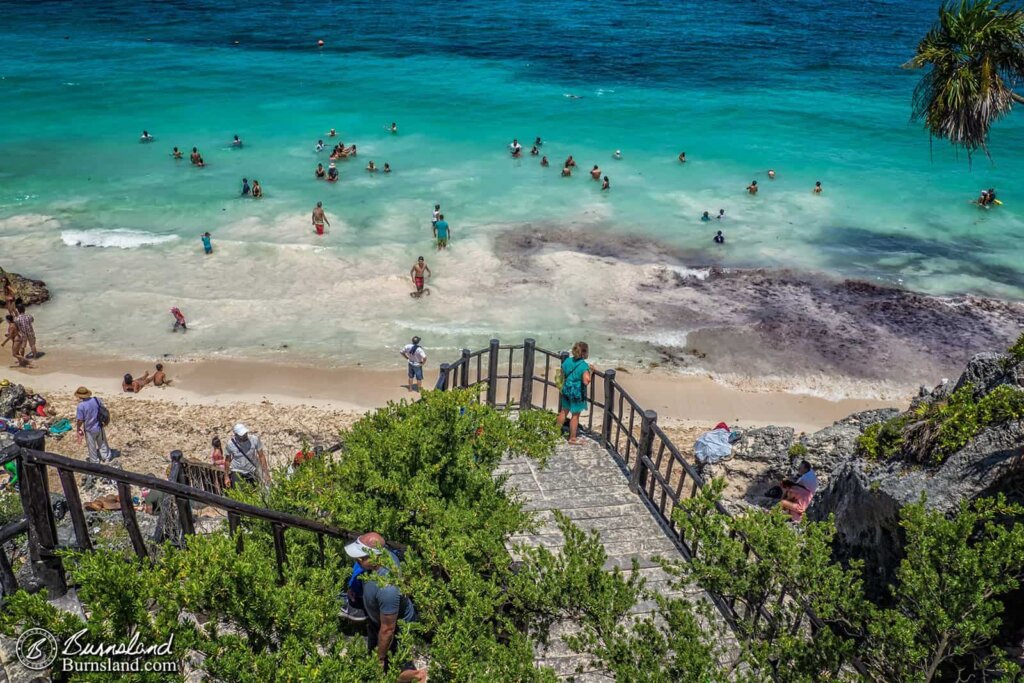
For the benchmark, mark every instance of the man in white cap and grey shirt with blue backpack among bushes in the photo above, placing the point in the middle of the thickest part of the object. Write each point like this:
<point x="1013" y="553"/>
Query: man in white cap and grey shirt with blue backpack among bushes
<point x="385" y="606"/>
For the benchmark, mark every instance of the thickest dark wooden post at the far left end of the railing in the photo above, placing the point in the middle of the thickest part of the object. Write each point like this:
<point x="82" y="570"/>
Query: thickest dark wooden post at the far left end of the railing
<point x="47" y="566"/>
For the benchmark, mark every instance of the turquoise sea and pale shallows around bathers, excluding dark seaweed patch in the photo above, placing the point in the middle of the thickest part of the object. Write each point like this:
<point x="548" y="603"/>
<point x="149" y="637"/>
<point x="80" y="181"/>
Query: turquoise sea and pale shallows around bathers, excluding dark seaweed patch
<point x="815" y="92"/>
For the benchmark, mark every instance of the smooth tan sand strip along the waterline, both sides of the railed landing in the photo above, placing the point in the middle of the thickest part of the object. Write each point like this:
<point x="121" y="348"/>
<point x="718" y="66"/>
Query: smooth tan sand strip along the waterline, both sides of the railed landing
<point x="680" y="399"/>
